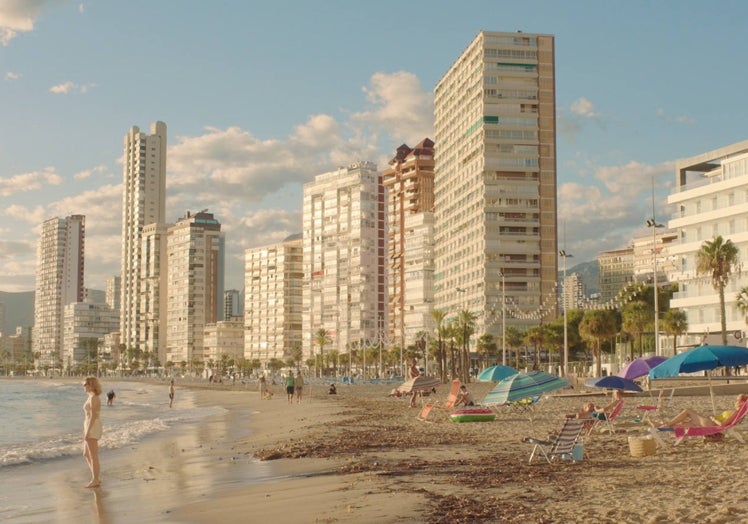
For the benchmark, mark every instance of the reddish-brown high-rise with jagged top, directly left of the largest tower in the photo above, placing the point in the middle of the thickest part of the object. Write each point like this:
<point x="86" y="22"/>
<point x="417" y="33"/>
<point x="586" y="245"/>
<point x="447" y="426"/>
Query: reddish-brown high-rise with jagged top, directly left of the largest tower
<point x="409" y="182"/>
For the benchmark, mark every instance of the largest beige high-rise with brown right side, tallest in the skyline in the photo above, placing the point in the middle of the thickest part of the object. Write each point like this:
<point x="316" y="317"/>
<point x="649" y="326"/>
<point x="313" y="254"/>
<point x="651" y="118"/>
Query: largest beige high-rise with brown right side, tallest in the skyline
<point x="495" y="181"/>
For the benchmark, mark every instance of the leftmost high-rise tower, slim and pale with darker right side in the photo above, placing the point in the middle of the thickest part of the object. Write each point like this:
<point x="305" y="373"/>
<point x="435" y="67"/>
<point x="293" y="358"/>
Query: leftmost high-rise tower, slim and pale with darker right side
<point x="59" y="282"/>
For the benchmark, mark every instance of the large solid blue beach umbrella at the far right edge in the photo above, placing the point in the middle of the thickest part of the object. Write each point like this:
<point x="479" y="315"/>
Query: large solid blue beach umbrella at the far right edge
<point x="702" y="358"/>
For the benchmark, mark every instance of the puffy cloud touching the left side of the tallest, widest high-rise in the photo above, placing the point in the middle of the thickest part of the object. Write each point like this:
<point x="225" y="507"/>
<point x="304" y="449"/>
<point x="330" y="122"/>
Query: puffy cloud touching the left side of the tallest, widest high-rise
<point x="399" y="107"/>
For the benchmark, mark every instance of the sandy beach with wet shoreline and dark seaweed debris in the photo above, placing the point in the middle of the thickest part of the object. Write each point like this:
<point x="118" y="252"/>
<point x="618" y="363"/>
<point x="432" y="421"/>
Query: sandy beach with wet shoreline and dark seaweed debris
<point x="362" y="457"/>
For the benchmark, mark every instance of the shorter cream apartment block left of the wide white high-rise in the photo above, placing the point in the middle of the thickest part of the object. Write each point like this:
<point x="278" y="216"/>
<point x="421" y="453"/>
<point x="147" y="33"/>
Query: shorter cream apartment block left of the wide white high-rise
<point x="273" y="277"/>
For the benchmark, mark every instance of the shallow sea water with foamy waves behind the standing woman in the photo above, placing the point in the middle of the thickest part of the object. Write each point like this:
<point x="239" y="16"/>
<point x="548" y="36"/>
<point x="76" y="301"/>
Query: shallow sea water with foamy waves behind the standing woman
<point x="42" y="419"/>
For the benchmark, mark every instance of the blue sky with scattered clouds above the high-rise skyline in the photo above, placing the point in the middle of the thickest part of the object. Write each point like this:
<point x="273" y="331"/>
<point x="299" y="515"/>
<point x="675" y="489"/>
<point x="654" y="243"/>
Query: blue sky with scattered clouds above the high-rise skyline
<point x="259" y="97"/>
